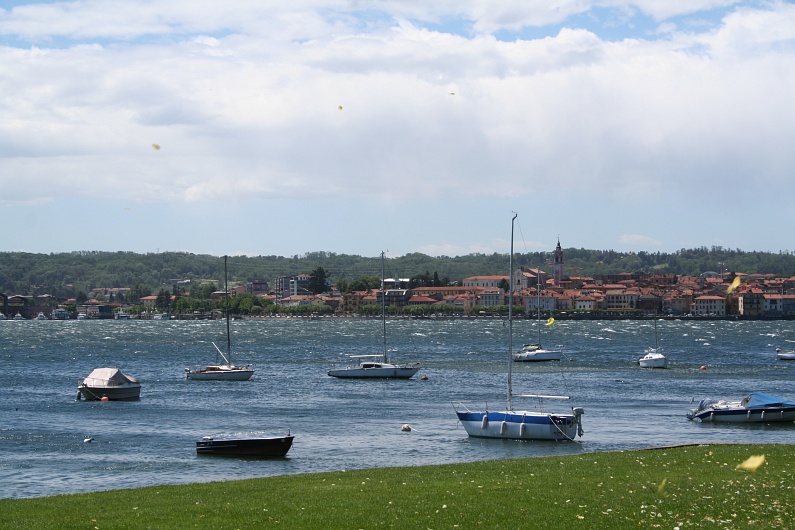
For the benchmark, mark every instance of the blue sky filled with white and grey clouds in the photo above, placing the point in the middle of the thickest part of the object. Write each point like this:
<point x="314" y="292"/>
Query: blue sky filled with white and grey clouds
<point x="362" y="126"/>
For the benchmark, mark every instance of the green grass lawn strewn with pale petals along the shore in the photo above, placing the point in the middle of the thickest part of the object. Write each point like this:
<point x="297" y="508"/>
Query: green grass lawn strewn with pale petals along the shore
<point x="682" y="487"/>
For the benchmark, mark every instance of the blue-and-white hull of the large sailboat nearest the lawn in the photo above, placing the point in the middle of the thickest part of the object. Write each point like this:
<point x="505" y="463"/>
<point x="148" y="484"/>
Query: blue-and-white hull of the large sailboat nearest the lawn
<point x="521" y="425"/>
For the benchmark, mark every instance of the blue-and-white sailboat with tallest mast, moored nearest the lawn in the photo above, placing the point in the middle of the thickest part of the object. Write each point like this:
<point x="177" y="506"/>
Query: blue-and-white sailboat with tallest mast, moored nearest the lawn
<point x="520" y="424"/>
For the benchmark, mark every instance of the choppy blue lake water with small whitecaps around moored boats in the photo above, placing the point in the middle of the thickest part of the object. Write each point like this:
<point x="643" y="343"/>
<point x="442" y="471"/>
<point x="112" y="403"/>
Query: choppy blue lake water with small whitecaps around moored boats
<point x="351" y="424"/>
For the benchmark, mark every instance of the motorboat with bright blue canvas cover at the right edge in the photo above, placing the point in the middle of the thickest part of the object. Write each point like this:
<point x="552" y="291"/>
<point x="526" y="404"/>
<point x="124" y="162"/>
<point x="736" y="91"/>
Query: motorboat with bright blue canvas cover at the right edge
<point x="758" y="407"/>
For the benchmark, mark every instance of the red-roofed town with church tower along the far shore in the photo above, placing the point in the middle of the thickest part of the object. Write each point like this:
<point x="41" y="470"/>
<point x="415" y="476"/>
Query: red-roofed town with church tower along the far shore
<point x="552" y="293"/>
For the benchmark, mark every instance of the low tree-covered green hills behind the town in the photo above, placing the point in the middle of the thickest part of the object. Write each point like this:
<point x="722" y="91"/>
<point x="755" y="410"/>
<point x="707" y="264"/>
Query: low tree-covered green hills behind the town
<point x="64" y="273"/>
